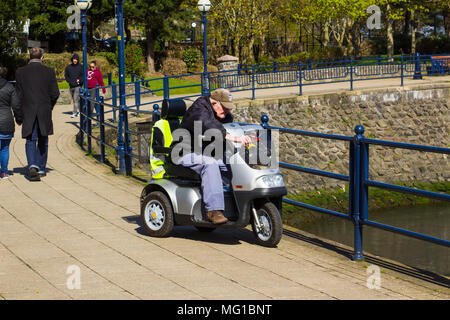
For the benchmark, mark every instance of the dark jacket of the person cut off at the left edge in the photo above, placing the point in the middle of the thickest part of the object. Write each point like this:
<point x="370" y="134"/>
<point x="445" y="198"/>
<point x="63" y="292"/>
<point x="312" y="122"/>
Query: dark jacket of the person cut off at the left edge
<point x="9" y="100"/>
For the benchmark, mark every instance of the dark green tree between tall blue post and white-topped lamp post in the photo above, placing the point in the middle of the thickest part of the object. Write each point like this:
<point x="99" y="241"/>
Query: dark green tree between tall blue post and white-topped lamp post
<point x="163" y="20"/>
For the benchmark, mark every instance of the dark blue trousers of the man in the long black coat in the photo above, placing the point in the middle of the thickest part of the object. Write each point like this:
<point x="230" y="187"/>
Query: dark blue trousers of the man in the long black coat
<point x="36" y="148"/>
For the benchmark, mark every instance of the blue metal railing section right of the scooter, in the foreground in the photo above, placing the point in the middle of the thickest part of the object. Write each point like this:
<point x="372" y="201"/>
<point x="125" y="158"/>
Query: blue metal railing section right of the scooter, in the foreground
<point x="359" y="183"/>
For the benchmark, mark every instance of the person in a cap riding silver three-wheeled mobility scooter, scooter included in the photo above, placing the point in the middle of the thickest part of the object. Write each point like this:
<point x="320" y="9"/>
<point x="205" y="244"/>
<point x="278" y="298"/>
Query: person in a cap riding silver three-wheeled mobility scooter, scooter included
<point x="245" y="194"/>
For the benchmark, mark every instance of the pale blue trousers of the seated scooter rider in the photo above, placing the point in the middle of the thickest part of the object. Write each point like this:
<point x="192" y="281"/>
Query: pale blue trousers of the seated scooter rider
<point x="213" y="173"/>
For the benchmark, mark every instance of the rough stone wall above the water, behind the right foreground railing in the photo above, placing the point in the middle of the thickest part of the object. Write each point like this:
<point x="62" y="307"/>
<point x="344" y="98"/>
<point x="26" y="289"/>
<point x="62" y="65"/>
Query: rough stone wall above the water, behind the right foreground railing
<point x="416" y="114"/>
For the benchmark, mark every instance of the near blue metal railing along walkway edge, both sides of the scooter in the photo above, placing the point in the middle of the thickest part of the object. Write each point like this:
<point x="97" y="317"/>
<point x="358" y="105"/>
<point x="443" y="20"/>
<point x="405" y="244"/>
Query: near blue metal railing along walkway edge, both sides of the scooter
<point x="357" y="176"/>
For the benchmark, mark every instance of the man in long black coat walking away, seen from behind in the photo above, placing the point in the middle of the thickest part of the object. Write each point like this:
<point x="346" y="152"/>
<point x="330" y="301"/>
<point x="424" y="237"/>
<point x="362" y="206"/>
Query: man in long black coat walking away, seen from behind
<point x="38" y="91"/>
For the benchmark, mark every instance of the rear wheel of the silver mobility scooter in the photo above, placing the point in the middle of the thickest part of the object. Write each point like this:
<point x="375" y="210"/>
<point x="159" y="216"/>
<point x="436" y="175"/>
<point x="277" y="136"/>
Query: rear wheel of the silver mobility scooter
<point x="157" y="214"/>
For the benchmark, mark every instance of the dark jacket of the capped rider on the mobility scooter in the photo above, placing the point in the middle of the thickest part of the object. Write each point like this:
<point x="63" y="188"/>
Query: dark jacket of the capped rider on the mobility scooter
<point x="202" y="110"/>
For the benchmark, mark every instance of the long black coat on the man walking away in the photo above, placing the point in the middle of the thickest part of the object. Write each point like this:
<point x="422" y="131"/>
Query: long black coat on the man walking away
<point x="38" y="92"/>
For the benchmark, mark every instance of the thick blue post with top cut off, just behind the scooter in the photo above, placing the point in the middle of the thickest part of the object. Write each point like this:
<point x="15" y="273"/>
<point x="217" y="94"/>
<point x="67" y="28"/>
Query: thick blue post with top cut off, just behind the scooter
<point x="123" y="143"/>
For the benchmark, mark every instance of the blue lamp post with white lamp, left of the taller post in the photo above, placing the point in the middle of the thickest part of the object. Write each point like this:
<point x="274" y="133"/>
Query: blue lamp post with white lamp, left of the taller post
<point x="83" y="5"/>
